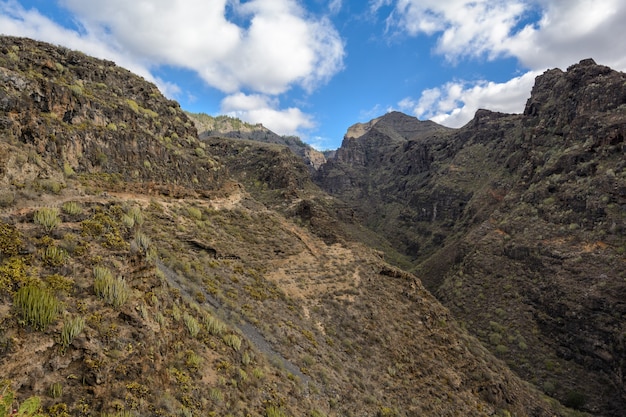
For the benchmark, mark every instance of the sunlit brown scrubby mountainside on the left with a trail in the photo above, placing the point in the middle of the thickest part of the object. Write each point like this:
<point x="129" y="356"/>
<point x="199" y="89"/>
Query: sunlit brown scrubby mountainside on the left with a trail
<point x="139" y="276"/>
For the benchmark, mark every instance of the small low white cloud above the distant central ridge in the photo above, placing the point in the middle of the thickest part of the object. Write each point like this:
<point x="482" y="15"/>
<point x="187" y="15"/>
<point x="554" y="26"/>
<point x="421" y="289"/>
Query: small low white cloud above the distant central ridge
<point x="258" y="108"/>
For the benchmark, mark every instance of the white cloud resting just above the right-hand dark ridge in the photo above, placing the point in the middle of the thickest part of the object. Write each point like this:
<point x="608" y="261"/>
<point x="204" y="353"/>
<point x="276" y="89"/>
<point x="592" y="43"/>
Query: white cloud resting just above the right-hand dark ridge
<point x="455" y="103"/>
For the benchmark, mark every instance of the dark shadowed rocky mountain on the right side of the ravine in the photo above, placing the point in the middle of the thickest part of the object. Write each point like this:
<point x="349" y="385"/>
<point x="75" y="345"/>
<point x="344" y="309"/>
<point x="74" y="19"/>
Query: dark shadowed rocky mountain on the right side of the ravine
<point x="515" y="222"/>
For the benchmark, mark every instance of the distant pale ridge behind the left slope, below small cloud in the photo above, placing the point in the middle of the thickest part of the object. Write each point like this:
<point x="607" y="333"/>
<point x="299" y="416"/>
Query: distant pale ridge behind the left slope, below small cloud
<point x="231" y="127"/>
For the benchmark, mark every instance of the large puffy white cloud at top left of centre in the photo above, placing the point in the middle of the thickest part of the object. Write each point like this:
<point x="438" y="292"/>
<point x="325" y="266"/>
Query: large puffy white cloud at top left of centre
<point x="277" y="45"/>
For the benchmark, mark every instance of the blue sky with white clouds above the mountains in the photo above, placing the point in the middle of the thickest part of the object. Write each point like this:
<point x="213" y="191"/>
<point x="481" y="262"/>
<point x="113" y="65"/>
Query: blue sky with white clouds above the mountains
<point x="313" y="68"/>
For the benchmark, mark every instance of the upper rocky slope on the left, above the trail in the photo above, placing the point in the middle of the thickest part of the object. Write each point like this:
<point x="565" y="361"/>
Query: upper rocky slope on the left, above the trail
<point x="95" y="117"/>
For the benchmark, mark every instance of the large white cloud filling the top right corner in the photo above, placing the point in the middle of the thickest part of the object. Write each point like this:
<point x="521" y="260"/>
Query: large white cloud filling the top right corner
<point x="562" y="33"/>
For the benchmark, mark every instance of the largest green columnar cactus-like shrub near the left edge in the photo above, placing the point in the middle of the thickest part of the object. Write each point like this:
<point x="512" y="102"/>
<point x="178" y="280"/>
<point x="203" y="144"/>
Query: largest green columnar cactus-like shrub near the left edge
<point x="39" y="307"/>
